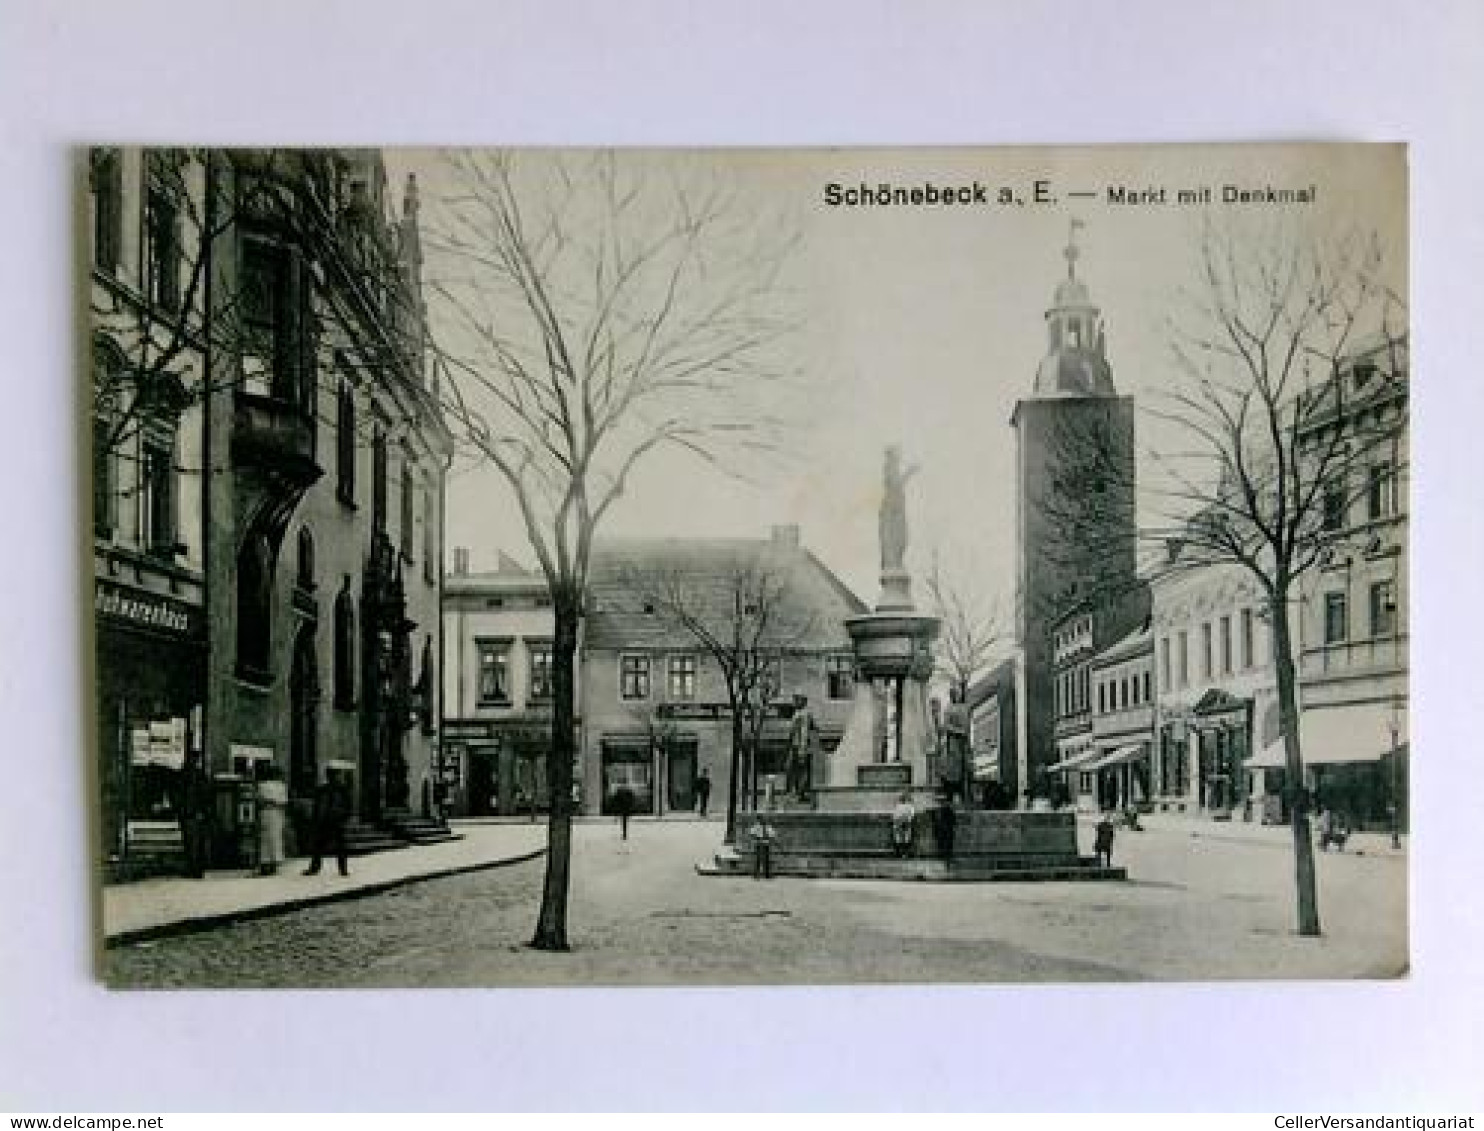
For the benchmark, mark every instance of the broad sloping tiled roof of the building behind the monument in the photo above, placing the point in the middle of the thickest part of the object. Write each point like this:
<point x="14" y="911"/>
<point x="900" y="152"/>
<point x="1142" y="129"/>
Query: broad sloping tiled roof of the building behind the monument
<point x="814" y="608"/>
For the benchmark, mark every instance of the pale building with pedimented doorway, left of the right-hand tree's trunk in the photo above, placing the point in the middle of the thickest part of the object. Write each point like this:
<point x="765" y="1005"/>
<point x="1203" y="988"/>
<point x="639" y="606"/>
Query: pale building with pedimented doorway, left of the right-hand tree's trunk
<point x="1218" y="704"/>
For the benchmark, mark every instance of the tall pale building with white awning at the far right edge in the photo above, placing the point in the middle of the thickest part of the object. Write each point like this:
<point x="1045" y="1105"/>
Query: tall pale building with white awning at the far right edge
<point x="1353" y="620"/>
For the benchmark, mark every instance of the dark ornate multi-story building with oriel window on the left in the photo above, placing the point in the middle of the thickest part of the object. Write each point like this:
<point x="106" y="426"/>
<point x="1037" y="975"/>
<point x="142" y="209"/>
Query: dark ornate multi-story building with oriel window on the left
<point x="306" y="468"/>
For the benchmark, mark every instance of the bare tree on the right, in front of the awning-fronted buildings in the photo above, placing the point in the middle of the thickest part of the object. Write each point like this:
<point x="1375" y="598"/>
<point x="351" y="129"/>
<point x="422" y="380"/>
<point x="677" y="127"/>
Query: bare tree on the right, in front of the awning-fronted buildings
<point x="1271" y="434"/>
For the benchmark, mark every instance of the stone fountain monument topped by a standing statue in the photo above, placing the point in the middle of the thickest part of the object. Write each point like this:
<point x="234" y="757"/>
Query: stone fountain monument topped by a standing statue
<point x="881" y="776"/>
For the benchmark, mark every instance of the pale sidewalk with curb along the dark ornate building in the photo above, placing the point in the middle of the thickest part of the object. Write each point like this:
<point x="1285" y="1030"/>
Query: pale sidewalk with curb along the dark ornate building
<point x="176" y="906"/>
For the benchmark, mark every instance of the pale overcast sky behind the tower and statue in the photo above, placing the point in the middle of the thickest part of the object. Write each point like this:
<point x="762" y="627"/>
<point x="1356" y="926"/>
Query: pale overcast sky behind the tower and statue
<point x="925" y="326"/>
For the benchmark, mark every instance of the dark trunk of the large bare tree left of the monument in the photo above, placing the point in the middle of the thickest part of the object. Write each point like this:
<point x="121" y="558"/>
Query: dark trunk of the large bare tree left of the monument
<point x="551" y="927"/>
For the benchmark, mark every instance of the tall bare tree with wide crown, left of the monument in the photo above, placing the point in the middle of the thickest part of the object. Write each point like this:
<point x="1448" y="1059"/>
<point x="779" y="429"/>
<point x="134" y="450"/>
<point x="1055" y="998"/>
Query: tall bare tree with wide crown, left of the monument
<point x="594" y="311"/>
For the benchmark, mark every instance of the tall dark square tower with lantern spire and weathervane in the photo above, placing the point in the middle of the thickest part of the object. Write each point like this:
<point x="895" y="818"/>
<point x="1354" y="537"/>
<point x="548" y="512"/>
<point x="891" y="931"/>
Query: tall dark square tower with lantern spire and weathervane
<point x="1074" y="498"/>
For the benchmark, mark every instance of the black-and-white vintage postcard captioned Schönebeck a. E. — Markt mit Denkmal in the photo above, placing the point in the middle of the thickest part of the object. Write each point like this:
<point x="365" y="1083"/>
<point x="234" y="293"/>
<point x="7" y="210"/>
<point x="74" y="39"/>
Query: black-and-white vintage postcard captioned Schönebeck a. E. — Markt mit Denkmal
<point x="572" y="568"/>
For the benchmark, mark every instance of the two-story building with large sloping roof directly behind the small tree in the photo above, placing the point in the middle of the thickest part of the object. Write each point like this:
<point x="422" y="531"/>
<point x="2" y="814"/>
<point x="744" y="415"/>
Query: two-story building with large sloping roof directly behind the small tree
<point x="655" y="706"/>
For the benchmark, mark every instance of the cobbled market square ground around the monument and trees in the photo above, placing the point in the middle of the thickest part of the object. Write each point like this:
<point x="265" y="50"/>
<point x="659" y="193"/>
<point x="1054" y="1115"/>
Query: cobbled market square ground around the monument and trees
<point x="1197" y="906"/>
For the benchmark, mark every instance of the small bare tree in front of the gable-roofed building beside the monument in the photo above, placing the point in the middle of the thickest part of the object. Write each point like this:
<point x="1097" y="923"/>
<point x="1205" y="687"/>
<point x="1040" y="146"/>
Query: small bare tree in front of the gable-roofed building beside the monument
<point x="744" y="621"/>
